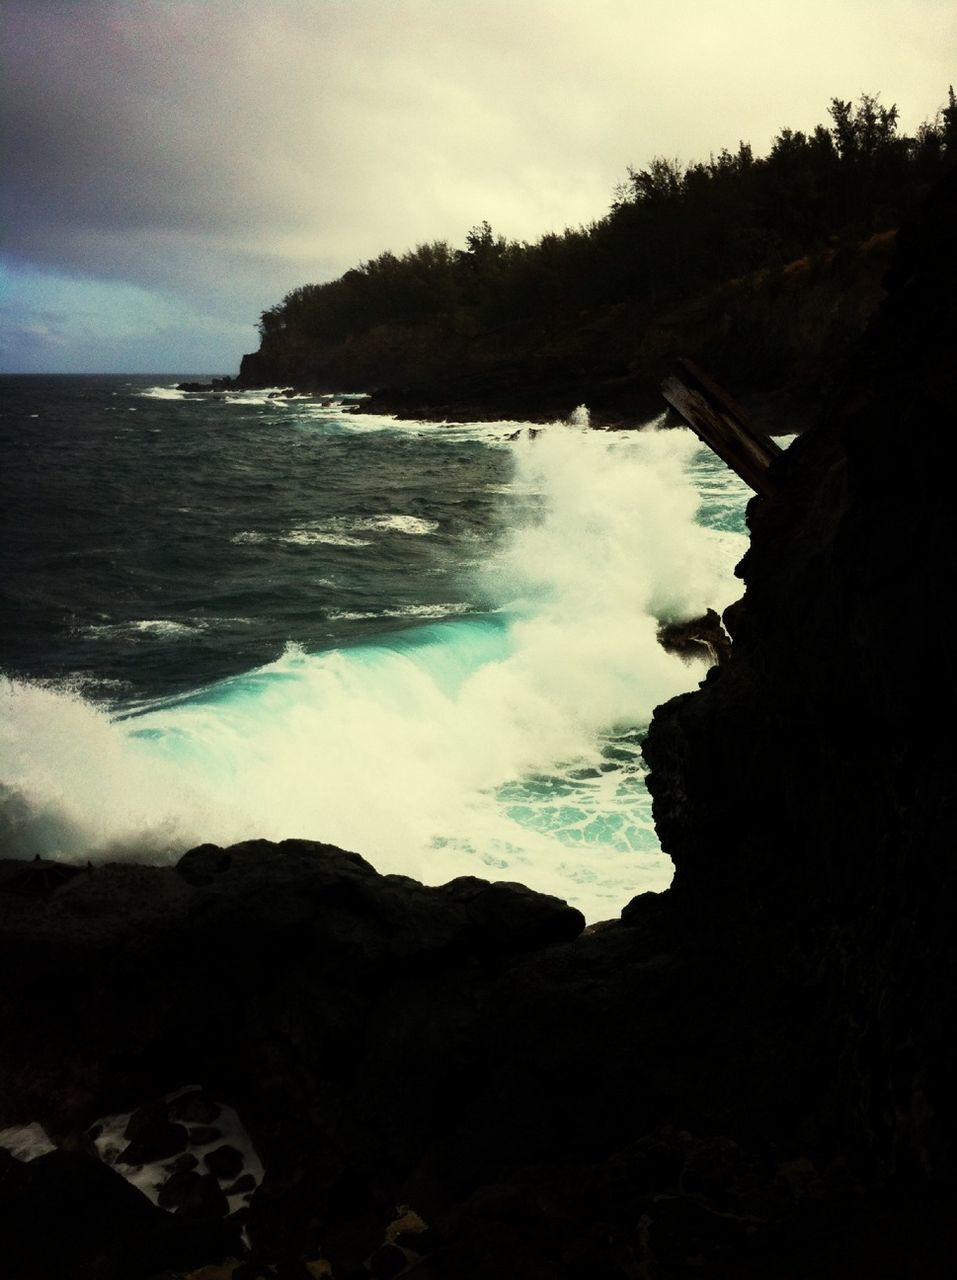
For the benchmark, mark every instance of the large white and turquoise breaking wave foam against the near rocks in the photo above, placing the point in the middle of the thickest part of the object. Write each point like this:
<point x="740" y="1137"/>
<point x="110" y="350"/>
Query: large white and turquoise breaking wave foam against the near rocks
<point x="496" y="746"/>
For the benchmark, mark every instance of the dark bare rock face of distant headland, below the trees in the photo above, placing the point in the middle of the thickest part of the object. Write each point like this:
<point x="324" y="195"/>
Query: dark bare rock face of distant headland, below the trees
<point x="779" y="337"/>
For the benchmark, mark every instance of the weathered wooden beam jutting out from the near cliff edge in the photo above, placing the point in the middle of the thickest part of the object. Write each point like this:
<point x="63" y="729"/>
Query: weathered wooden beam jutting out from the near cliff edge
<point x="722" y="426"/>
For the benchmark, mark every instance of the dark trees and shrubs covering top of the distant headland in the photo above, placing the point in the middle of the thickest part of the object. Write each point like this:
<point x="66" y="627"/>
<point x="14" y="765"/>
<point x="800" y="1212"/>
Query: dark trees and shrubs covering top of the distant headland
<point x="671" y="232"/>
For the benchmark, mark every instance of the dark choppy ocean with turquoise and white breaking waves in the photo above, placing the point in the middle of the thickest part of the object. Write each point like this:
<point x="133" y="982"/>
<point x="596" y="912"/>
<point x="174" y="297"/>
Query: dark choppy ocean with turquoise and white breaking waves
<point x="240" y="615"/>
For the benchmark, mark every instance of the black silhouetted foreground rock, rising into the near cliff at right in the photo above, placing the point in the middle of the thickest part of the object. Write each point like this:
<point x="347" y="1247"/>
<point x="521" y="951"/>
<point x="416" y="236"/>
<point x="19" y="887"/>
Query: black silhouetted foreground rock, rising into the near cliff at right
<point x="749" y="1076"/>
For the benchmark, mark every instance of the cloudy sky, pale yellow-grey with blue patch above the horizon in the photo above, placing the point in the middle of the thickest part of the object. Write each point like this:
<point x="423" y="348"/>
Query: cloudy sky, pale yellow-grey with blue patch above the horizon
<point x="173" y="167"/>
